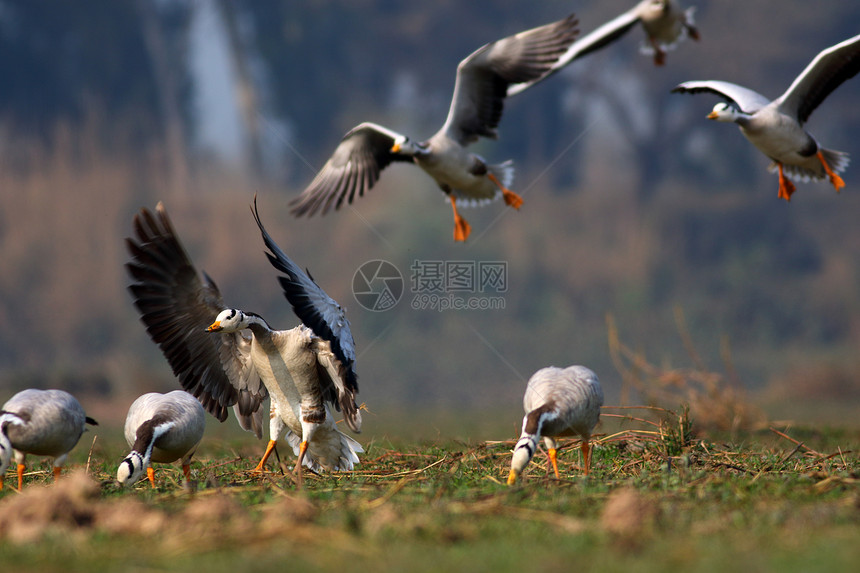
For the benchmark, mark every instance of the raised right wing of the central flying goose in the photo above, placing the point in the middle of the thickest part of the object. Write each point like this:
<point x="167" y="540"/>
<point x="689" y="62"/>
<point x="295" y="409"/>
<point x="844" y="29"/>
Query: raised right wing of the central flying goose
<point x="484" y="76"/>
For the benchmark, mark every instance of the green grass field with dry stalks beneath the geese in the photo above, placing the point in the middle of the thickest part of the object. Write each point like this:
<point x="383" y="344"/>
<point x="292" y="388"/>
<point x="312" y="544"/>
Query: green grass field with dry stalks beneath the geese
<point x="657" y="499"/>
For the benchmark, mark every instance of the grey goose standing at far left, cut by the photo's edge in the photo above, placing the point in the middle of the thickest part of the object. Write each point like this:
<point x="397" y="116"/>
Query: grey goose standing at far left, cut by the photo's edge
<point x="42" y="423"/>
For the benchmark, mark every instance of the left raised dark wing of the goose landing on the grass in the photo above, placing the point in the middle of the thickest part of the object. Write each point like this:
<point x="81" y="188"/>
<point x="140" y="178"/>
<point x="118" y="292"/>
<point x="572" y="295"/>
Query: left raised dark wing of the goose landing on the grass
<point x="177" y="305"/>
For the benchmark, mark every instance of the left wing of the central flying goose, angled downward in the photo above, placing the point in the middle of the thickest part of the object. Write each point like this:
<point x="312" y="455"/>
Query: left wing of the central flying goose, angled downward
<point x="353" y="168"/>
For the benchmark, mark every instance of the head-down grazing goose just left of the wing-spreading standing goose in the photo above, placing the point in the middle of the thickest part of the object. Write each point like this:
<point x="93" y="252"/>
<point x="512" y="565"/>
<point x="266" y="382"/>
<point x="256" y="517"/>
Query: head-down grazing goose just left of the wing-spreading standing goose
<point x="161" y="428"/>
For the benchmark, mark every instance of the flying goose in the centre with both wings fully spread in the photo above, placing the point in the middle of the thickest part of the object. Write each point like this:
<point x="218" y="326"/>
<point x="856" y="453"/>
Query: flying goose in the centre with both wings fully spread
<point x="476" y="109"/>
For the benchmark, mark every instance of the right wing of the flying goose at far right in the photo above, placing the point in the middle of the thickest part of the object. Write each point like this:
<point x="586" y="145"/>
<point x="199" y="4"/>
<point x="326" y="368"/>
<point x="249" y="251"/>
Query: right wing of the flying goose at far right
<point x="824" y="74"/>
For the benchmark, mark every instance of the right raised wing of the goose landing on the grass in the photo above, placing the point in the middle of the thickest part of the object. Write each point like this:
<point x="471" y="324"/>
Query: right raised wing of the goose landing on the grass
<point x="313" y="306"/>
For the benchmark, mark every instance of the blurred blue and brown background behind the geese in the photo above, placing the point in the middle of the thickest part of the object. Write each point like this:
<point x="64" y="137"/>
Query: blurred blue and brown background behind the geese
<point x="651" y="246"/>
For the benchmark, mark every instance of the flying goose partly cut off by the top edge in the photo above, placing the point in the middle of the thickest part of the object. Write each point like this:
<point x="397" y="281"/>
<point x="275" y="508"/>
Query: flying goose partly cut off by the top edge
<point x="665" y="25"/>
